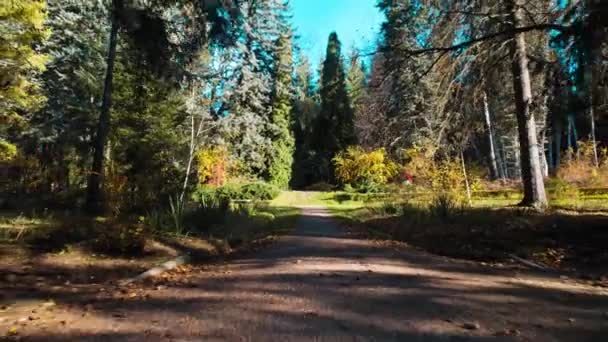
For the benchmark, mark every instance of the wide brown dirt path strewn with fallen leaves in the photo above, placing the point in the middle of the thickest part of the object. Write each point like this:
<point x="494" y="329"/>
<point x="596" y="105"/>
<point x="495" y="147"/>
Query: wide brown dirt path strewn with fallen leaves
<point x="318" y="284"/>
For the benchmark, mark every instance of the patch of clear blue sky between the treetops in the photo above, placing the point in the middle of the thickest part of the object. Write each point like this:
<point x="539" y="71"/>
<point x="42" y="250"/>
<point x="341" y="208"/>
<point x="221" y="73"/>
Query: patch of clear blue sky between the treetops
<point x="357" y="23"/>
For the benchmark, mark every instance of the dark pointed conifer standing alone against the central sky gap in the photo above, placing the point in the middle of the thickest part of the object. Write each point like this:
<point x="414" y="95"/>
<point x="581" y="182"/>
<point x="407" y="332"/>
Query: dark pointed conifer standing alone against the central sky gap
<point x="335" y="124"/>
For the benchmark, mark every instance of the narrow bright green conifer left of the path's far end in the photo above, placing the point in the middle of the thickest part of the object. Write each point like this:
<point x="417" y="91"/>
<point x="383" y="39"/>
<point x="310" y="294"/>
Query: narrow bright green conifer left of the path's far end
<point x="281" y="156"/>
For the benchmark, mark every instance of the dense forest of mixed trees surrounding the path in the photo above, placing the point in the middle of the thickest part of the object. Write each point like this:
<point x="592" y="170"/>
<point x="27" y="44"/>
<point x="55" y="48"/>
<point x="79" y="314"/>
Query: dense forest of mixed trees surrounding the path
<point x="122" y="105"/>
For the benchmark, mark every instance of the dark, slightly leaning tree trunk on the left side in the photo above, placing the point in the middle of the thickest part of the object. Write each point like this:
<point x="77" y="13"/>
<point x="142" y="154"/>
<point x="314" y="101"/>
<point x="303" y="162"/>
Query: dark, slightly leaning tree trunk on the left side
<point x="95" y="195"/>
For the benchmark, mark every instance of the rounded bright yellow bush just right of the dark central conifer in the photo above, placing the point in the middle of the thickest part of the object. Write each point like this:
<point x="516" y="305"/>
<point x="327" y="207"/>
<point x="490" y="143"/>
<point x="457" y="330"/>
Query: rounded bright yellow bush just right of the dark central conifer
<point x="357" y="167"/>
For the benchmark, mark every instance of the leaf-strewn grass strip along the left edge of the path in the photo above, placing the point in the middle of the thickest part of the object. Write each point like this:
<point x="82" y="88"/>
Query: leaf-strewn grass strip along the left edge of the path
<point x="75" y="242"/>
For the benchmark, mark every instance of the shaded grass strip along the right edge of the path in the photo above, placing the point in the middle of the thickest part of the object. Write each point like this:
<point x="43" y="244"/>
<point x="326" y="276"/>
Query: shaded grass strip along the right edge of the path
<point x="569" y="240"/>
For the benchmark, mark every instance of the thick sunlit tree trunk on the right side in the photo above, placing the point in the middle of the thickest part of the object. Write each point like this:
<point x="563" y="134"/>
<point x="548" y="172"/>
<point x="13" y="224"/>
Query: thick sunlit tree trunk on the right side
<point x="534" y="187"/>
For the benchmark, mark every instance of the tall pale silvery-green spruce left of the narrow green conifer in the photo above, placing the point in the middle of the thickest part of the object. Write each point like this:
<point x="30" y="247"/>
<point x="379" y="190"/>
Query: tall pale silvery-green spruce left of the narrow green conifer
<point x="250" y="127"/>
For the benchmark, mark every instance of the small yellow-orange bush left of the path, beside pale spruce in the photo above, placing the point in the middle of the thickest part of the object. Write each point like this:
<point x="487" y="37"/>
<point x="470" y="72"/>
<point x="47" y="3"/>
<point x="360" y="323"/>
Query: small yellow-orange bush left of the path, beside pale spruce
<point x="212" y="166"/>
